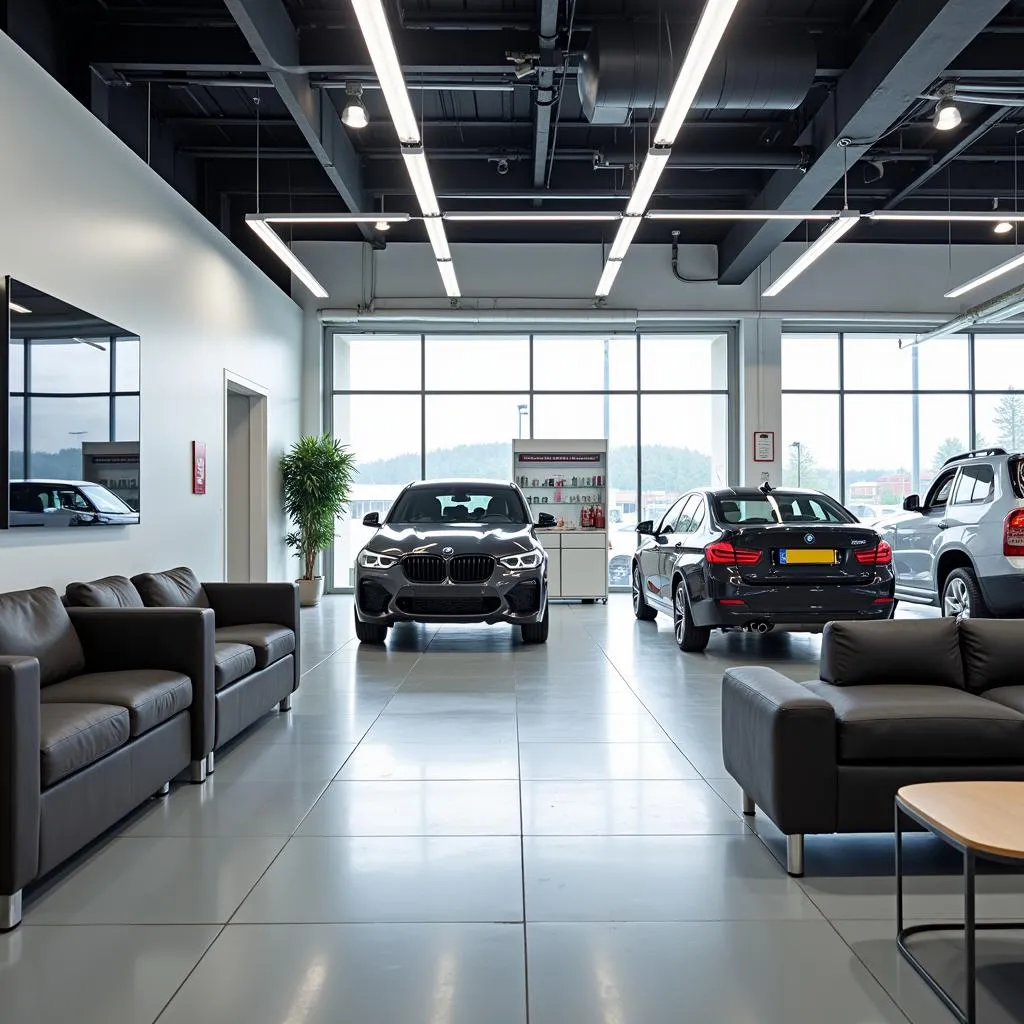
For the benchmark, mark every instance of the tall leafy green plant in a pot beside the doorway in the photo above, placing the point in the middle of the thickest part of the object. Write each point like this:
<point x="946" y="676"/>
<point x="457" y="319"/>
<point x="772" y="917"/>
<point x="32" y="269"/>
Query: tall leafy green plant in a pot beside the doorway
<point x="317" y="475"/>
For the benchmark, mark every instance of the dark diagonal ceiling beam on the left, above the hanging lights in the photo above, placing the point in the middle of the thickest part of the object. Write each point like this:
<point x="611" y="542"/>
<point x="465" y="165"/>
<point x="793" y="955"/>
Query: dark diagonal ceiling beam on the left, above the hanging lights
<point x="270" y="32"/>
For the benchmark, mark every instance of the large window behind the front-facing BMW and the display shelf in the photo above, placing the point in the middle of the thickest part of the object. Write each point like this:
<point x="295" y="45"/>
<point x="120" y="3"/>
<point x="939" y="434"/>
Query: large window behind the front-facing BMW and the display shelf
<point x="422" y="407"/>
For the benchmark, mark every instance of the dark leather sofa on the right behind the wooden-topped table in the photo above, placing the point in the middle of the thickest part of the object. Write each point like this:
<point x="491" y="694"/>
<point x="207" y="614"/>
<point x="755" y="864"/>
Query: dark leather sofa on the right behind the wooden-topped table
<point x="898" y="703"/>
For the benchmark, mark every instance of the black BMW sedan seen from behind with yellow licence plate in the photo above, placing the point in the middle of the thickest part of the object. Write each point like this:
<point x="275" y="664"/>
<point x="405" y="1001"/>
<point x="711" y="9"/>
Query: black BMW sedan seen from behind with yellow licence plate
<point x="759" y="560"/>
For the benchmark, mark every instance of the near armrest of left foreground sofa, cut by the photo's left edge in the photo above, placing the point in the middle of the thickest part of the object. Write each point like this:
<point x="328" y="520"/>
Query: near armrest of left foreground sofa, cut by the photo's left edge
<point x="20" y="782"/>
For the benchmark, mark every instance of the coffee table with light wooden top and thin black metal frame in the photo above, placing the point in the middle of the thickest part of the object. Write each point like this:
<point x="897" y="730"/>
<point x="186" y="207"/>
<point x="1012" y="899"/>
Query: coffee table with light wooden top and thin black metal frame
<point x="980" y="820"/>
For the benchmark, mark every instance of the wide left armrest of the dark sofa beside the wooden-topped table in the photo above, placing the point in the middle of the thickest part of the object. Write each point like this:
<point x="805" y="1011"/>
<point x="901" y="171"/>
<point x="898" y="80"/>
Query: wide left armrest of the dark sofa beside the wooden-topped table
<point x="780" y="744"/>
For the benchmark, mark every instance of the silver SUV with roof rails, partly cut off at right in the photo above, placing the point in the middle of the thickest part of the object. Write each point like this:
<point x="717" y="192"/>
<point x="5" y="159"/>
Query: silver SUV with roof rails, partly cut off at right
<point x="963" y="547"/>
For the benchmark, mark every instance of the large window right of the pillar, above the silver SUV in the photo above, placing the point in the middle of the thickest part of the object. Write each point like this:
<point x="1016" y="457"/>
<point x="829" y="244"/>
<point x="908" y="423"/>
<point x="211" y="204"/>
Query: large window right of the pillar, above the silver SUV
<point x="871" y="423"/>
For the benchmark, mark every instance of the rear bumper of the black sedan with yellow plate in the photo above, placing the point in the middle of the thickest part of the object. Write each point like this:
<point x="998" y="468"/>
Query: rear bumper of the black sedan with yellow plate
<point x="792" y="606"/>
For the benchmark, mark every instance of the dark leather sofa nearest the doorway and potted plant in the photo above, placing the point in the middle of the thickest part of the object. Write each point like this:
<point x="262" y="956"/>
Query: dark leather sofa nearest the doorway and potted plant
<point x="255" y="659"/>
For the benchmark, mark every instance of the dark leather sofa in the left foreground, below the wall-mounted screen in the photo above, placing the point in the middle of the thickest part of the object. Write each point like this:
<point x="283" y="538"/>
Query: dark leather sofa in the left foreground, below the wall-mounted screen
<point x="100" y="710"/>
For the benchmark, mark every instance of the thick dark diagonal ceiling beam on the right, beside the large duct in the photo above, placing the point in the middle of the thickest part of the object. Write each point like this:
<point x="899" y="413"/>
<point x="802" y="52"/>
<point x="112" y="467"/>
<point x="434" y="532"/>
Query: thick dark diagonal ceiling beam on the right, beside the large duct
<point x="913" y="48"/>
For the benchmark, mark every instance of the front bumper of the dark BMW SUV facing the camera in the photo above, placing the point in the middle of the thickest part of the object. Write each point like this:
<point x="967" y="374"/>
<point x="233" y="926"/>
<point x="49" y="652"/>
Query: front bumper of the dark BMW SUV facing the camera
<point x="387" y="599"/>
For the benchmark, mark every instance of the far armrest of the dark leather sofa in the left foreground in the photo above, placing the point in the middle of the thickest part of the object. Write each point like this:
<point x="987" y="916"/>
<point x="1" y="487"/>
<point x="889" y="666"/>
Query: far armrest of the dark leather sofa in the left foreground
<point x="173" y="639"/>
